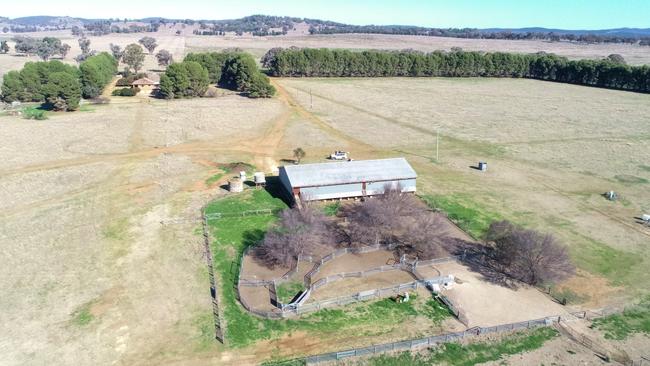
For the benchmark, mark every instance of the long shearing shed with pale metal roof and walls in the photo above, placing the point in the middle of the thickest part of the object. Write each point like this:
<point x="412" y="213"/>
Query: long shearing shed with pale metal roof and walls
<point x="347" y="179"/>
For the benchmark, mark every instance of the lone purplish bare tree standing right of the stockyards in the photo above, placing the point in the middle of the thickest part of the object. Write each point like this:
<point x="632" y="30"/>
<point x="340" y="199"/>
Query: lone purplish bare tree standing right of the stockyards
<point x="529" y="256"/>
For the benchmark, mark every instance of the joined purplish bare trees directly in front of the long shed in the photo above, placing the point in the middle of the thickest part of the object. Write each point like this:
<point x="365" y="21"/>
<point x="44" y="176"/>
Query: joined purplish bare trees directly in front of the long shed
<point x="391" y="218"/>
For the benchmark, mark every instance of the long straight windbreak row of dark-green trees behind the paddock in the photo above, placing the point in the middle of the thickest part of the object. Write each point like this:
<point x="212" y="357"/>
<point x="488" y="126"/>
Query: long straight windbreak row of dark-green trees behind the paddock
<point x="609" y="73"/>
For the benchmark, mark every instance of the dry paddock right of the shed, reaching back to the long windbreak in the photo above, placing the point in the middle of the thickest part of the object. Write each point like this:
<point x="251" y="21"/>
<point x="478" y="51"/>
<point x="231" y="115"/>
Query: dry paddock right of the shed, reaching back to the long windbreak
<point x="550" y="158"/>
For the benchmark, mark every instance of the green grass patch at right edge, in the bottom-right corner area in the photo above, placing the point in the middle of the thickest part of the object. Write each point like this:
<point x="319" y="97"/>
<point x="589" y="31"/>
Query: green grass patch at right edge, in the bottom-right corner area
<point x="621" y="326"/>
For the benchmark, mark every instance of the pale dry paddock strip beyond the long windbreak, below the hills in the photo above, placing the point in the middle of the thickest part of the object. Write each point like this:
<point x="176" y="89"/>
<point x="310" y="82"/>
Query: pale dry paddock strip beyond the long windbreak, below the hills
<point x="180" y="45"/>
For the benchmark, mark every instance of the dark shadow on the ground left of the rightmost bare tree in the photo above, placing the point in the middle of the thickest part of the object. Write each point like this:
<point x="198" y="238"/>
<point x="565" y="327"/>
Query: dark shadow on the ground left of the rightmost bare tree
<point x="478" y="258"/>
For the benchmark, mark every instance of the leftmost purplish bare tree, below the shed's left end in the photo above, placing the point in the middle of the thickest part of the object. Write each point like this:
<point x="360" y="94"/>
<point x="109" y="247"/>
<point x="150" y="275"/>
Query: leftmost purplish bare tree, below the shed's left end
<point x="299" y="231"/>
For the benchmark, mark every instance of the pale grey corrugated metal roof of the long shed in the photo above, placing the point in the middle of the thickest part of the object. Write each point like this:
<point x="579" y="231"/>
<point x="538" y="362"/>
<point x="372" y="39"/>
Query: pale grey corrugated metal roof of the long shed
<point x="343" y="172"/>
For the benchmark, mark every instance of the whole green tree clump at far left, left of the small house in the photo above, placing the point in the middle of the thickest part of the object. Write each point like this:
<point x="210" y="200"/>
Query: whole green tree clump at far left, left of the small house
<point x="59" y="86"/>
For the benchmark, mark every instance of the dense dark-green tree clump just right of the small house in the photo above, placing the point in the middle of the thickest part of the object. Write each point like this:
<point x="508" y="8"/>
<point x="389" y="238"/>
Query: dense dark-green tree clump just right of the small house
<point x="234" y="70"/>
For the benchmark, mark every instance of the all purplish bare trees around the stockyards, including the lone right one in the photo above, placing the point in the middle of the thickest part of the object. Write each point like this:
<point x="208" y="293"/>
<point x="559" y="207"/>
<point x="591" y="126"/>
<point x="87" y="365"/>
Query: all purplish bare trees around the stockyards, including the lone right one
<point x="404" y="221"/>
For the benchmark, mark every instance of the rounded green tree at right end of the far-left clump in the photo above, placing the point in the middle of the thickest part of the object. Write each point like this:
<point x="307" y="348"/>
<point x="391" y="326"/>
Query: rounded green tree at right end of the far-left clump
<point x="96" y="72"/>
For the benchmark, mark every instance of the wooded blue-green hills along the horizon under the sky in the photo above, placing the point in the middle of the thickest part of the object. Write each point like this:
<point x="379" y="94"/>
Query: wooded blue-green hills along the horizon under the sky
<point x="263" y="25"/>
